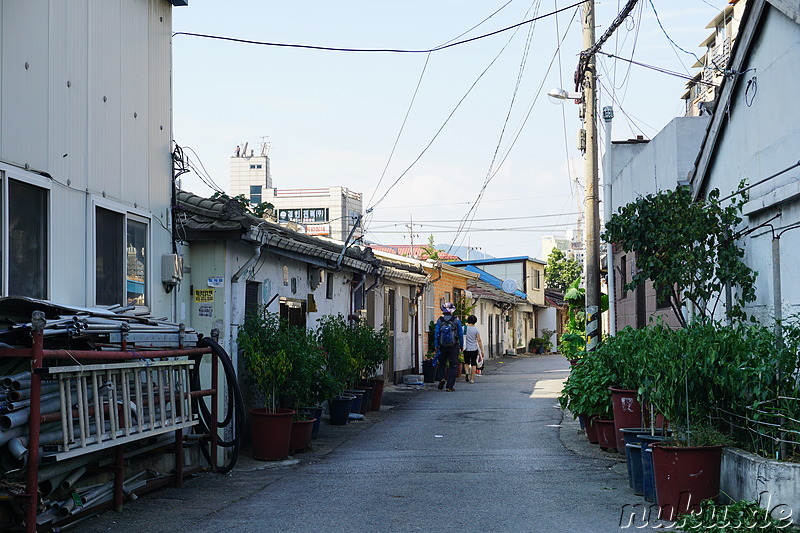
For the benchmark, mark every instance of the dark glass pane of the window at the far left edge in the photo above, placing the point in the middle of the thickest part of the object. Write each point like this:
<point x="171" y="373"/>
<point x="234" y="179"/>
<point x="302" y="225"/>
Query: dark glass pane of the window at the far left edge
<point x="26" y="258"/>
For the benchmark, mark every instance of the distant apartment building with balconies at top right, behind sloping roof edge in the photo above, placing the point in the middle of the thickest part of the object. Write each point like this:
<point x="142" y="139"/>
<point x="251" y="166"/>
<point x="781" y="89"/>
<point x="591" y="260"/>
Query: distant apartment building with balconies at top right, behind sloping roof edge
<point x="701" y="90"/>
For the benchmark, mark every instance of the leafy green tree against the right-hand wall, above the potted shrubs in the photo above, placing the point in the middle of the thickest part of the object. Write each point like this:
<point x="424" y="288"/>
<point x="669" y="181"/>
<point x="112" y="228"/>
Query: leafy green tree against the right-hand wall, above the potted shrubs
<point x="687" y="247"/>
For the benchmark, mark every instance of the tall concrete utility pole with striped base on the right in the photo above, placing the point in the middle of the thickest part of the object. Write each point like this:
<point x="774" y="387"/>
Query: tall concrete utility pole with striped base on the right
<point x="591" y="205"/>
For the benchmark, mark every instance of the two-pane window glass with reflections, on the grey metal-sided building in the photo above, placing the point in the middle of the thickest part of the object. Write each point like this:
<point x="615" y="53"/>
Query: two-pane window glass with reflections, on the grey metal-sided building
<point x="120" y="259"/>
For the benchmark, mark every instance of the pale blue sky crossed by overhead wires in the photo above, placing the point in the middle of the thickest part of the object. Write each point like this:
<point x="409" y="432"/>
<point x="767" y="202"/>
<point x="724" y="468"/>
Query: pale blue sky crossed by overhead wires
<point x="461" y="143"/>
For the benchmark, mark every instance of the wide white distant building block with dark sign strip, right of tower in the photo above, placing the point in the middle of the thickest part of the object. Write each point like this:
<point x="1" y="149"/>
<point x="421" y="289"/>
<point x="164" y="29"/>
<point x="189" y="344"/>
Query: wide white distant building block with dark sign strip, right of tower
<point x="328" y="211"/>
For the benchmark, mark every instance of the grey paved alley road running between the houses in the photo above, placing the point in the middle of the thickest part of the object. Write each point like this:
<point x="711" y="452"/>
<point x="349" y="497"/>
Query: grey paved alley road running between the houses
<point x="491" y="456"/>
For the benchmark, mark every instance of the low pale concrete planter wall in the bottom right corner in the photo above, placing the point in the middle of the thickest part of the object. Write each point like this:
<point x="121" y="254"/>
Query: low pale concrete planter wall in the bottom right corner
<point x="775" y="485"/>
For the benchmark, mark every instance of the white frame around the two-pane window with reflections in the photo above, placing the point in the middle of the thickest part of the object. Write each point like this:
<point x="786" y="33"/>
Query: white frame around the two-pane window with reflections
<point x="130" y="213"/>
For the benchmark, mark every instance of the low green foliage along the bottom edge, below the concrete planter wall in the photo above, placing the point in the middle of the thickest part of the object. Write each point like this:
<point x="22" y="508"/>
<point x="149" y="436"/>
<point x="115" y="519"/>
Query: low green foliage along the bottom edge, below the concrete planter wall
<point x="739" y="517"/>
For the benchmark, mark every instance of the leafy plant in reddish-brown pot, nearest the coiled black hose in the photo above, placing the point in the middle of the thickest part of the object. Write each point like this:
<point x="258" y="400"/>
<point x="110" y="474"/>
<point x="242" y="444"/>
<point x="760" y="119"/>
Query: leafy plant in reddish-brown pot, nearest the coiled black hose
<point x="268" y="356"/>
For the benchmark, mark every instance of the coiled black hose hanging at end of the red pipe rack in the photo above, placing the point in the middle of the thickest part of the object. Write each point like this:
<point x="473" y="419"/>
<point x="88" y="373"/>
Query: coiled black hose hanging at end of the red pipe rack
<point x="235" y="405"/>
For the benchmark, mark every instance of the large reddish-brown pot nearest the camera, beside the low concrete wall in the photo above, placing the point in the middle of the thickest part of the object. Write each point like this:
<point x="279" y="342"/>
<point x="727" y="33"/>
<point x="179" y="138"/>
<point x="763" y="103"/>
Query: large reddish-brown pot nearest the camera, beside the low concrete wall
<point x="685" y="476"/>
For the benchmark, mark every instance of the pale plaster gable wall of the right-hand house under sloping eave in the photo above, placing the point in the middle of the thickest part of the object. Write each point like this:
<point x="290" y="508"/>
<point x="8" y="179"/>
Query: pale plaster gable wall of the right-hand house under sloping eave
<point x="760" y="137"/>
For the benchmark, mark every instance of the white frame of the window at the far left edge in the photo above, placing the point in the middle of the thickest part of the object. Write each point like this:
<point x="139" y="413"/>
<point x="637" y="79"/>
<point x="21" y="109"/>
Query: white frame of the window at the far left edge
<point x="8" y="172"/>
